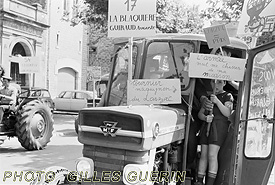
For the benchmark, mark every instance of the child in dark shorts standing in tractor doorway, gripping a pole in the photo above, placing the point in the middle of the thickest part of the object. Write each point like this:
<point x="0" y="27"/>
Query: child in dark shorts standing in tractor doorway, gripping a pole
<point x="211" y="140"/>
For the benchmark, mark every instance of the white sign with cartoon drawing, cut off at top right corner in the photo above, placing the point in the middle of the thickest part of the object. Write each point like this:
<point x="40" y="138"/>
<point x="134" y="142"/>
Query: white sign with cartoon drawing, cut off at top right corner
<point x="257" y="17"/>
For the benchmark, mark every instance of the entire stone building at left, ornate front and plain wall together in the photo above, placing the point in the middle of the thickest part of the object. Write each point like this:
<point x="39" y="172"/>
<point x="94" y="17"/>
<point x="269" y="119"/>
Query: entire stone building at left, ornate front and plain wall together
<point x="43" y="30"/>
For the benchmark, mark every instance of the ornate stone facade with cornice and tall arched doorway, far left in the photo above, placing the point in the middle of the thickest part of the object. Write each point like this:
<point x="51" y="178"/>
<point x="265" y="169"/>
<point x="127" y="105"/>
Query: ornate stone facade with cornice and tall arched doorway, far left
<point x="23" y="30"/>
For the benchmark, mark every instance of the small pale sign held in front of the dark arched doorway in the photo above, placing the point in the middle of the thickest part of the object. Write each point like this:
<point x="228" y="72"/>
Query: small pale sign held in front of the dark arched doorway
<point x="29" y="65"/>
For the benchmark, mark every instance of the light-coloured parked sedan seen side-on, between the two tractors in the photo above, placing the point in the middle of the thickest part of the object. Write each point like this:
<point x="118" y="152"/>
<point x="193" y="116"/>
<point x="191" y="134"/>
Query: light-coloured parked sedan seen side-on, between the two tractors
<point x="74" y="100"/>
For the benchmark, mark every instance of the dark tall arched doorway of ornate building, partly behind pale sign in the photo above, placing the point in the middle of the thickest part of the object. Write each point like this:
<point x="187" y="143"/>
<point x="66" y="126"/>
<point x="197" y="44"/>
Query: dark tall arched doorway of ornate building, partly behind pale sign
<point x="21" y="79"/>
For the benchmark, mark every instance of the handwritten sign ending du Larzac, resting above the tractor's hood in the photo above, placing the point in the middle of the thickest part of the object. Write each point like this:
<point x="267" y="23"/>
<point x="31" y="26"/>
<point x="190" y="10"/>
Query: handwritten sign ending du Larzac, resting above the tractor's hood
<point x="154" y="91"/>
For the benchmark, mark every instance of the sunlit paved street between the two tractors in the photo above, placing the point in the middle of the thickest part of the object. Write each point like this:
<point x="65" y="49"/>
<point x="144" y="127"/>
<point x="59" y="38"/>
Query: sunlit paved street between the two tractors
<point x="62" y="150"/>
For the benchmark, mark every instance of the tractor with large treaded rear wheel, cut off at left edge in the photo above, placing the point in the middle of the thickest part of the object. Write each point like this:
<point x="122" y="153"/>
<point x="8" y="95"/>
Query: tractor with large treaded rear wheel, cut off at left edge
<point x="31" y="121"/>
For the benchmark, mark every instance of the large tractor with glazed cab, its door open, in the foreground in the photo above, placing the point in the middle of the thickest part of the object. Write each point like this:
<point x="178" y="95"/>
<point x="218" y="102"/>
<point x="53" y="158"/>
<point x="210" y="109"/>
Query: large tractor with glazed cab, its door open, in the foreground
<point x="150" y="143"/>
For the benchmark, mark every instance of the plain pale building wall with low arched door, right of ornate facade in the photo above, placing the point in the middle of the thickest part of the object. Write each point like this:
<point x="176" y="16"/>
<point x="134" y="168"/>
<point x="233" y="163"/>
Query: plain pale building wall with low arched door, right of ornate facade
<point x="65" y="46"/>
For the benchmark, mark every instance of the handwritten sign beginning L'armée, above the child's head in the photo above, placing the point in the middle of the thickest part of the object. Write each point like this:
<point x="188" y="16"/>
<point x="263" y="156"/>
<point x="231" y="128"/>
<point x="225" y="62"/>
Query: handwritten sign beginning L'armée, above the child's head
<point x="216" y="67"/>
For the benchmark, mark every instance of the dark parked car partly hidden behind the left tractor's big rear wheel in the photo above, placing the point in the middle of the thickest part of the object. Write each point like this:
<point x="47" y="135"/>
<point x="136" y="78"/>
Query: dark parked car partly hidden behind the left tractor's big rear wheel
<point x="37" y="92"/>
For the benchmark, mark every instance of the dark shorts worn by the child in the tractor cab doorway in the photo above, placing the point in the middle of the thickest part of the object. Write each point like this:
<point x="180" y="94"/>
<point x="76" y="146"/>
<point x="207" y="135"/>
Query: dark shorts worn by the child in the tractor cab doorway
<point x="217" y="134"/>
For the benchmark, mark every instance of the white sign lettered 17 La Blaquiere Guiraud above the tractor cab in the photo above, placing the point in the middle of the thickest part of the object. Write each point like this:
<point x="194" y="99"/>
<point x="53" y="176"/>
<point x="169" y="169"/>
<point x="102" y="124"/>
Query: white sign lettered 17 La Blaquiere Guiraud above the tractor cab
<point x="131" y="18"/>
